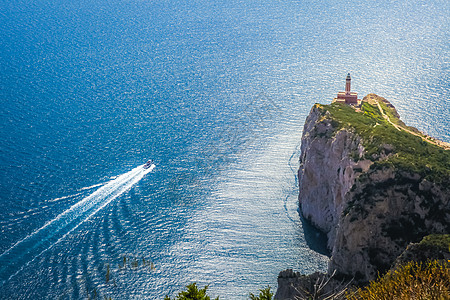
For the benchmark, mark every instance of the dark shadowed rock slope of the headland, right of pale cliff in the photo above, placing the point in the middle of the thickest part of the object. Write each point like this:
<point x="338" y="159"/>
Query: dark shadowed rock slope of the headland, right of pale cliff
<point x="387" y="210"/>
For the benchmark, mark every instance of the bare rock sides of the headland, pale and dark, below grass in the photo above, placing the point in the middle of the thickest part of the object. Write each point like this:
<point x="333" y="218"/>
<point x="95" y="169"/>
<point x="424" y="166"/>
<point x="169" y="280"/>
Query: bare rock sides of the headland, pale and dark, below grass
<point x="370" y="211"/>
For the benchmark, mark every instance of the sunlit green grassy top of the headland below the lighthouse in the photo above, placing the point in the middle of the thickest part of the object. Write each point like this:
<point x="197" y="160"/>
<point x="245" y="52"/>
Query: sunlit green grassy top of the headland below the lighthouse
<point x="390" y="145"/>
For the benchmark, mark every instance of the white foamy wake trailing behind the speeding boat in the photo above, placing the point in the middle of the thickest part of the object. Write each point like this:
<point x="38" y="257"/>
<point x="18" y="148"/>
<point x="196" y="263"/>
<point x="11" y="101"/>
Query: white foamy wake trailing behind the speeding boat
<point x="13" y="260"/>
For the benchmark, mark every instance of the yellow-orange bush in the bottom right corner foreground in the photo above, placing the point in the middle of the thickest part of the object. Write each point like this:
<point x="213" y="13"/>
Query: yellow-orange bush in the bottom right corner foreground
<point x="415" y="280"/>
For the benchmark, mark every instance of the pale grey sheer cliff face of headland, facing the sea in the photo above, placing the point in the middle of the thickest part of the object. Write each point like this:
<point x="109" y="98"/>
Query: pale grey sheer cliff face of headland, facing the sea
<point x="327" y="170"/>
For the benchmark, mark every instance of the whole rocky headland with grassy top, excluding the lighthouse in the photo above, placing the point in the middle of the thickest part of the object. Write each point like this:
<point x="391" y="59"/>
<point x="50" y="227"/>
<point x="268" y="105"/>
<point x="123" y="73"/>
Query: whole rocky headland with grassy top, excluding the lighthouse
<point x="373" y="187"/>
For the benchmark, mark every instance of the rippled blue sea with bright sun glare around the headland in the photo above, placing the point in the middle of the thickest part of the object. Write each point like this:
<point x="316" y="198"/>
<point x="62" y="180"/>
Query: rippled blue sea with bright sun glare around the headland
<point x="216" y="93"/>
